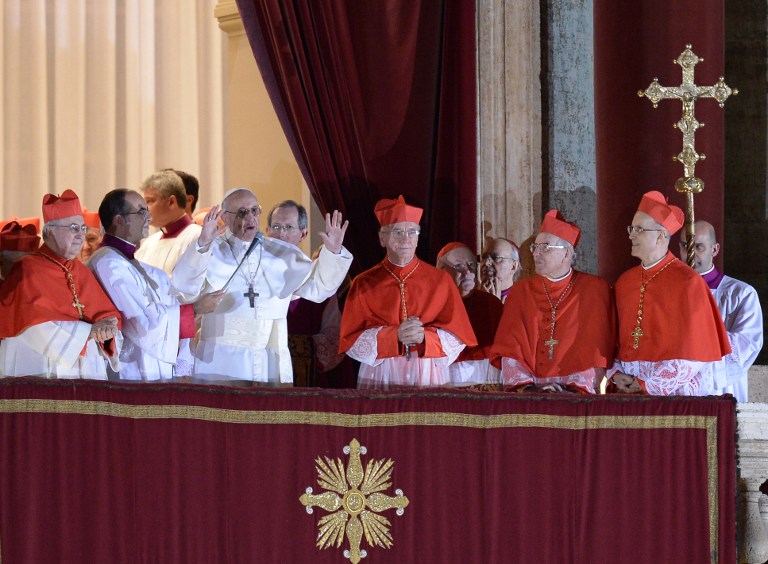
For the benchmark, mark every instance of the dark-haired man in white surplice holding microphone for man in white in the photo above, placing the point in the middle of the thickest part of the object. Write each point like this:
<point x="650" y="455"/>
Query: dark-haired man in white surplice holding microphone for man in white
<point x="153" y="320"/>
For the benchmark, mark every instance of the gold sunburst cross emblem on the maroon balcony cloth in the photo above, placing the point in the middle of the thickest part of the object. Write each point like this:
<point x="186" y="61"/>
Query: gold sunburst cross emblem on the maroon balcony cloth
<point x="355" y="500"/>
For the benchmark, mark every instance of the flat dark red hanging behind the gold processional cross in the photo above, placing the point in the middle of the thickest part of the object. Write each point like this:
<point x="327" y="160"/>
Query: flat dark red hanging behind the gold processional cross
<point x="634" y="43"/>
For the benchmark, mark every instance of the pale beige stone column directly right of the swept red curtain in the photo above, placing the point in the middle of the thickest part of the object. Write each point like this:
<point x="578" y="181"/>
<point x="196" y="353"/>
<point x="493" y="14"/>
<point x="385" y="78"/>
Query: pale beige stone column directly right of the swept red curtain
<point x="509" y="119"/>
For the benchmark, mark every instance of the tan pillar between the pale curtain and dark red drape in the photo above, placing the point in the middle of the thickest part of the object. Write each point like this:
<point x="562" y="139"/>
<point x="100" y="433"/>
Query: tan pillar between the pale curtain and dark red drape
<point x="257" y="154"/>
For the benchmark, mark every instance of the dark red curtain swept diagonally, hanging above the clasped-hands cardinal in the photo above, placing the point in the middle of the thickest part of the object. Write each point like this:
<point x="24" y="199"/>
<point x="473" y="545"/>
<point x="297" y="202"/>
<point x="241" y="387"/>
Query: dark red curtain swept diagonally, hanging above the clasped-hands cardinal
<point x="376" y="99"/>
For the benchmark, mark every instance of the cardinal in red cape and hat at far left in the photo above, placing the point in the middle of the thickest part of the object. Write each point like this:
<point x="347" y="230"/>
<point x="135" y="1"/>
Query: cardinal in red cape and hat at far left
<point x="55" y="319"/>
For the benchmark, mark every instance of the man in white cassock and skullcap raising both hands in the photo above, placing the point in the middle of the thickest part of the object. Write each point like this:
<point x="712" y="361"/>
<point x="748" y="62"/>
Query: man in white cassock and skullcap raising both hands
<point x="246" y="337"/>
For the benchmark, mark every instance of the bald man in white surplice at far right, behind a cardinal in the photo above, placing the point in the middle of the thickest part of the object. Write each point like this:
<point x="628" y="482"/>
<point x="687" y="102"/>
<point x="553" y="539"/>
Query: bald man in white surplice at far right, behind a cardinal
<point x="740" y="308"/>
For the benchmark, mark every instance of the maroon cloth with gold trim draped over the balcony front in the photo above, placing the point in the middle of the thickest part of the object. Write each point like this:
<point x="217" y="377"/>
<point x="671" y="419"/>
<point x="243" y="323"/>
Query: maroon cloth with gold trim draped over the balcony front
<point x="100" y="472"/>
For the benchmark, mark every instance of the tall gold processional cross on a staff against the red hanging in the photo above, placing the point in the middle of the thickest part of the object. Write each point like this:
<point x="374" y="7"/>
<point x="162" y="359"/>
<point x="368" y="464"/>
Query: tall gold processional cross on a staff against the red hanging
<point x="688" y="92"/>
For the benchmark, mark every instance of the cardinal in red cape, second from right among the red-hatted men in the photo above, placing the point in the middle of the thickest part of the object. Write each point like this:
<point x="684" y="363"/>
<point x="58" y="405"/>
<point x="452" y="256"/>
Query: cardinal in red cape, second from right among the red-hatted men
<point x="558" y="329"/>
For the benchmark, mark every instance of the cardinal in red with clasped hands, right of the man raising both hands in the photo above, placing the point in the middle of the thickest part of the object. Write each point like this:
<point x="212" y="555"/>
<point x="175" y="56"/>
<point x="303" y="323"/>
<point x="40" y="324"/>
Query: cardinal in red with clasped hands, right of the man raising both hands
<point x="403" y="319"/>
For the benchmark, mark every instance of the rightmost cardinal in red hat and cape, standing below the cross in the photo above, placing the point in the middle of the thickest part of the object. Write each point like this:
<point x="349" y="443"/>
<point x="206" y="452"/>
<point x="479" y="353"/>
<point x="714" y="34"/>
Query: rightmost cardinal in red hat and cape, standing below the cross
<point x="669" y="323"/>
